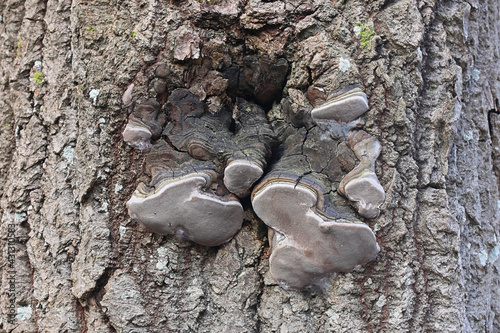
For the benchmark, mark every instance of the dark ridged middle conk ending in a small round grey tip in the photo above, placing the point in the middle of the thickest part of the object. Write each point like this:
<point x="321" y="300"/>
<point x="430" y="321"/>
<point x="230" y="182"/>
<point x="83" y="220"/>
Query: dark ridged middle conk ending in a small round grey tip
<point x="207" y="137"/>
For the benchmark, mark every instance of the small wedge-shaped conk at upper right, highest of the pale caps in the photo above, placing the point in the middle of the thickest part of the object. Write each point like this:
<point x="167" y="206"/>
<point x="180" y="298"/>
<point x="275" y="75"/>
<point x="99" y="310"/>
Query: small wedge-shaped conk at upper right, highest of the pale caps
<point x="343" y="106"/>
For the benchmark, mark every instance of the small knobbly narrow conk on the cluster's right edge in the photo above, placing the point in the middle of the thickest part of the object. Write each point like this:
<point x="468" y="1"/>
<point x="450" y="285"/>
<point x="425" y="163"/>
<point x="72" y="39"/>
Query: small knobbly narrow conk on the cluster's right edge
<point x="361" y="185"/>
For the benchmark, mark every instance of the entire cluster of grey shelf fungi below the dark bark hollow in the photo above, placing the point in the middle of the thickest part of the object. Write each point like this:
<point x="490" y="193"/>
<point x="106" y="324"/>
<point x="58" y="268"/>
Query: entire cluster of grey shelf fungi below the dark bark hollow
<point x="199" y="164"/>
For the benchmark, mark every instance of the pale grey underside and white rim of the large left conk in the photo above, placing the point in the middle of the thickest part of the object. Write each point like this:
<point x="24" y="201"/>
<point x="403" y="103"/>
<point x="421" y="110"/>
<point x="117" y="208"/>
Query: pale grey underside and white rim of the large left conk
<point x="181" y="206"/>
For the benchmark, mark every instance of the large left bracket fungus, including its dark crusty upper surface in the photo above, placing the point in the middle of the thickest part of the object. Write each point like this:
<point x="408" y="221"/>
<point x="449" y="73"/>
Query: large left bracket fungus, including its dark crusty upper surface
<point x="183" y="198"/>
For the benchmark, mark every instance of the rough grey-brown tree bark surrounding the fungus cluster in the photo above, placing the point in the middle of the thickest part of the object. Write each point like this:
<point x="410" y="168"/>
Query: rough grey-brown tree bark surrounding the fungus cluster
<point x="78" y="263"/>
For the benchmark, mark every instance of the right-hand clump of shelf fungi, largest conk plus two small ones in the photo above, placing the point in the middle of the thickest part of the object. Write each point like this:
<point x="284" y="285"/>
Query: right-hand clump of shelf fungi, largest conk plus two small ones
<point x="314" y="233"/>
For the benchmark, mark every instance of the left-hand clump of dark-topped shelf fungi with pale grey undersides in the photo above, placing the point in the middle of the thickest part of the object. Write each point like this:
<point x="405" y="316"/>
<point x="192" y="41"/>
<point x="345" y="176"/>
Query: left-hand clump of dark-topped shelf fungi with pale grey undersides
<point x="196" y="166"/>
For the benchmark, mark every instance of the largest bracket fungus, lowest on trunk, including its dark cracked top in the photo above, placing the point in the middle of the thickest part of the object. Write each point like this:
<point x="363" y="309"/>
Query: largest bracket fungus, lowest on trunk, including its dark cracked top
<point x="315" y="234"/>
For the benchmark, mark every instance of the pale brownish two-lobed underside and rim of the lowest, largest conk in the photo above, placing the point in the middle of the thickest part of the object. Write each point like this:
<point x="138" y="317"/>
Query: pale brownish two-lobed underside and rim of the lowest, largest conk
<point x="309" y="247"/>
